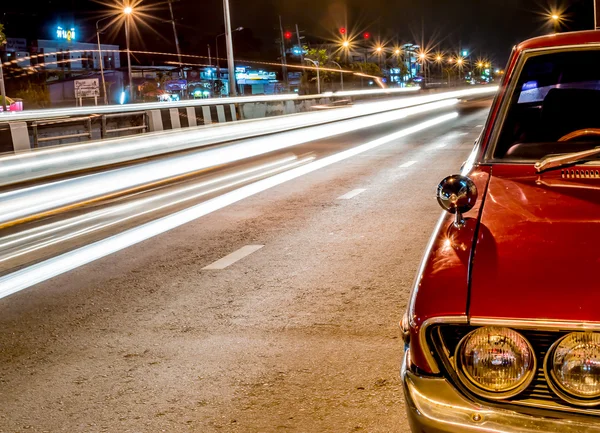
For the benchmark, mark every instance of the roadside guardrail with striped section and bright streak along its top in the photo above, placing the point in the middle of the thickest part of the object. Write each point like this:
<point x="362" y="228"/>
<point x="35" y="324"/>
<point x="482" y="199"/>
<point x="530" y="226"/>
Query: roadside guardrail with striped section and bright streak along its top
<point x="53" y="125"/>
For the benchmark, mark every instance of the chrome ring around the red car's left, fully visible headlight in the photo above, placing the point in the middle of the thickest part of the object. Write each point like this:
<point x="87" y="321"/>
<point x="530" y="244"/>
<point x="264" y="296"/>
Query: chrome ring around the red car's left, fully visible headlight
<point x="478" y="389"/>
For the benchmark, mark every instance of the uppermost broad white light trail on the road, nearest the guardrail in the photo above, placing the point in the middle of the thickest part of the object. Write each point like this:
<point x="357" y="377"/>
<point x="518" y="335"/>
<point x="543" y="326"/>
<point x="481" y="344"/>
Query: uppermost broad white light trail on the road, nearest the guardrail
<point x="29" y="166"/>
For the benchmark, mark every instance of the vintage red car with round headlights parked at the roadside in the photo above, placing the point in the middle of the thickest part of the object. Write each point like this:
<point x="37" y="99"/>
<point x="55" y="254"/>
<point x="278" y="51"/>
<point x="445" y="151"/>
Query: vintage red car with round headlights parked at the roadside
<point x="503" y="326"/>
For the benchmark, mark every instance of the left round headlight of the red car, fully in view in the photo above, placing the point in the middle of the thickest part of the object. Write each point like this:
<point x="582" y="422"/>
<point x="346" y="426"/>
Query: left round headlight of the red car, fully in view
<point x="495" y="362"/>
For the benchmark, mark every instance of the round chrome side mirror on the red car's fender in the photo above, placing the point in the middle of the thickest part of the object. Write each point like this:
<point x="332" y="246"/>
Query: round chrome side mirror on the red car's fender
<point x="457" y="194"/>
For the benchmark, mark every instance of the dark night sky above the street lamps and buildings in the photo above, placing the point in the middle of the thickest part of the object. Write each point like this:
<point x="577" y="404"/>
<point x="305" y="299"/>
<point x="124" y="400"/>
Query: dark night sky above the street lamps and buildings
<point x="488" y="27"/>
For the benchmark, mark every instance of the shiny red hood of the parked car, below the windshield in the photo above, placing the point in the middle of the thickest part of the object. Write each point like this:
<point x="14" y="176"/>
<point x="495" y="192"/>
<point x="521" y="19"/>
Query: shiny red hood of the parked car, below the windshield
<point x="537" y="254"/>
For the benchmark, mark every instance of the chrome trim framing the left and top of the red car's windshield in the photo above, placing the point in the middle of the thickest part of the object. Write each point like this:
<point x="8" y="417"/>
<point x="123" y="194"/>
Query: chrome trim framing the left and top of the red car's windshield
<point x="488" y="156"/>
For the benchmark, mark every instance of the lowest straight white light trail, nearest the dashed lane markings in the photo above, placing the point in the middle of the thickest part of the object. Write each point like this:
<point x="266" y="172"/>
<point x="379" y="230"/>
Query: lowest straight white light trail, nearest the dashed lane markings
<point x="42" y="271"/>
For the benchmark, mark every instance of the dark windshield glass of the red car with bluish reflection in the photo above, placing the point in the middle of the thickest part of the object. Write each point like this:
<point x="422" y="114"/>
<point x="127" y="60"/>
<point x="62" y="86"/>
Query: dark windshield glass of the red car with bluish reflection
<point x="556" y="95"/>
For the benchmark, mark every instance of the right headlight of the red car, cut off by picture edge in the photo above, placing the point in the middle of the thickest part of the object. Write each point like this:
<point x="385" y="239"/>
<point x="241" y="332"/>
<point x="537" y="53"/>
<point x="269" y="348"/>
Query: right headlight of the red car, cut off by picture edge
<point x="573" y="368"/>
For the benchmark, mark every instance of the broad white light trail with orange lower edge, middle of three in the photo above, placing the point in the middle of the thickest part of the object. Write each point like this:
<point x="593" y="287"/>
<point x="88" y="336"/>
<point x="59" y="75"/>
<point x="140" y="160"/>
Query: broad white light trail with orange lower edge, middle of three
<point x="47" y="199"/>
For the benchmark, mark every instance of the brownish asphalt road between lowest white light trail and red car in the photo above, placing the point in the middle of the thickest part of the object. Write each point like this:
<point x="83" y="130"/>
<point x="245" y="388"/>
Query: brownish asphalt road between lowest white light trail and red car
<point x="299" y="335"/>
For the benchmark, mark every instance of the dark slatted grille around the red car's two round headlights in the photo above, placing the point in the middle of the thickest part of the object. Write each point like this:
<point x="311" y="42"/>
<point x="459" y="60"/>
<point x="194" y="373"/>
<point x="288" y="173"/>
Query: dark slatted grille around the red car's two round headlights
<point x="538" y="394"/>
